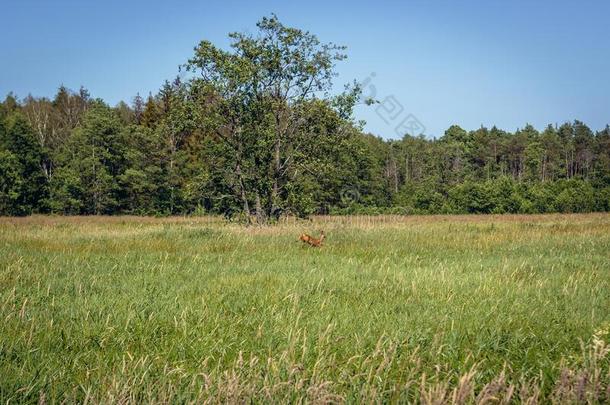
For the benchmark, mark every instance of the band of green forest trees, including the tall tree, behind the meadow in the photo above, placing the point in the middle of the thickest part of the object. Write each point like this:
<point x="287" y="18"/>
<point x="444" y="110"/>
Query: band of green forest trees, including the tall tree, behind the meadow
<point x="254" y="132"/>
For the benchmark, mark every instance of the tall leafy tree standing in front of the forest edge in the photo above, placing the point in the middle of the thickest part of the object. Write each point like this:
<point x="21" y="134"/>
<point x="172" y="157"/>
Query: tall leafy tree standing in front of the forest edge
<point x="257" y="98"/>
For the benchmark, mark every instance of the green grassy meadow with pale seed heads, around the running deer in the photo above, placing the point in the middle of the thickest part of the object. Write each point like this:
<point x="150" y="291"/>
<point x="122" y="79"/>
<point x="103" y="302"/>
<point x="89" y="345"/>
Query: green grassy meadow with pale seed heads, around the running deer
<point x="400" y="309"/>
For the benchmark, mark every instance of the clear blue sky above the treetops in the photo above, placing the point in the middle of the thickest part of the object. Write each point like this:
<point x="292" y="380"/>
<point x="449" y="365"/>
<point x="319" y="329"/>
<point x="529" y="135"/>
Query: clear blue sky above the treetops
<point x="469" y="63"/>
